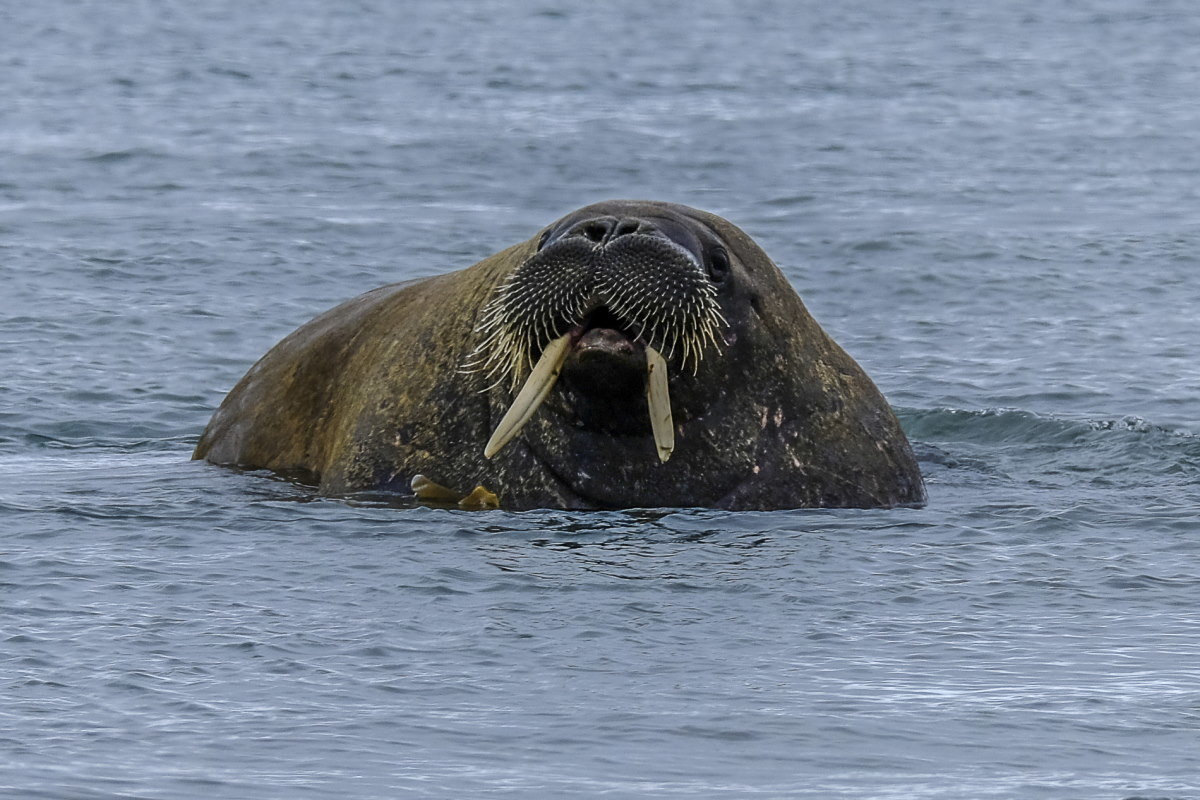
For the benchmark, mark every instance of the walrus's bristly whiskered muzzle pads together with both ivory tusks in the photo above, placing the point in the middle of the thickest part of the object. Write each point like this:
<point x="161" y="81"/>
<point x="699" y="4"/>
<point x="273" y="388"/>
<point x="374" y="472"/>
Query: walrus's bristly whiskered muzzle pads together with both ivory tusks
<point x="651" y="290"/>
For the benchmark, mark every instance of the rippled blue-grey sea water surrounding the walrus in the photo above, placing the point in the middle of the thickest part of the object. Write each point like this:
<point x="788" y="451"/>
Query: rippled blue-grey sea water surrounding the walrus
<point x="993" y="207"/>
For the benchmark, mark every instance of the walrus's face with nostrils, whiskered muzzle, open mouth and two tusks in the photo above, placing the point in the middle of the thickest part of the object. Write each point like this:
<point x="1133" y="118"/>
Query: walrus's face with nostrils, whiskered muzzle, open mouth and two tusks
<point x="611" y="300"/>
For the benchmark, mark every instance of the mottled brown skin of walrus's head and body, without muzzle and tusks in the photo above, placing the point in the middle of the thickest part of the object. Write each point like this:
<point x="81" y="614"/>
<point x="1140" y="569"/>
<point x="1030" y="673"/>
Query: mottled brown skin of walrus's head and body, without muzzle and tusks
<point x="374" y="393"/>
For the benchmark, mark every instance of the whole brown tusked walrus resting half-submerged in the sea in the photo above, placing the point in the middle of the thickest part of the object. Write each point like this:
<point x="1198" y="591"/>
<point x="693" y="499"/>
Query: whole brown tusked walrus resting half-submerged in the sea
<point x="633" y="354"/>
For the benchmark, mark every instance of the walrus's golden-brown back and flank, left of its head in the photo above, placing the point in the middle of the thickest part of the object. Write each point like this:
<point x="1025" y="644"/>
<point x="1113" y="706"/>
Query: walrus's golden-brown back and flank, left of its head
<point x="373" y="368"/>
